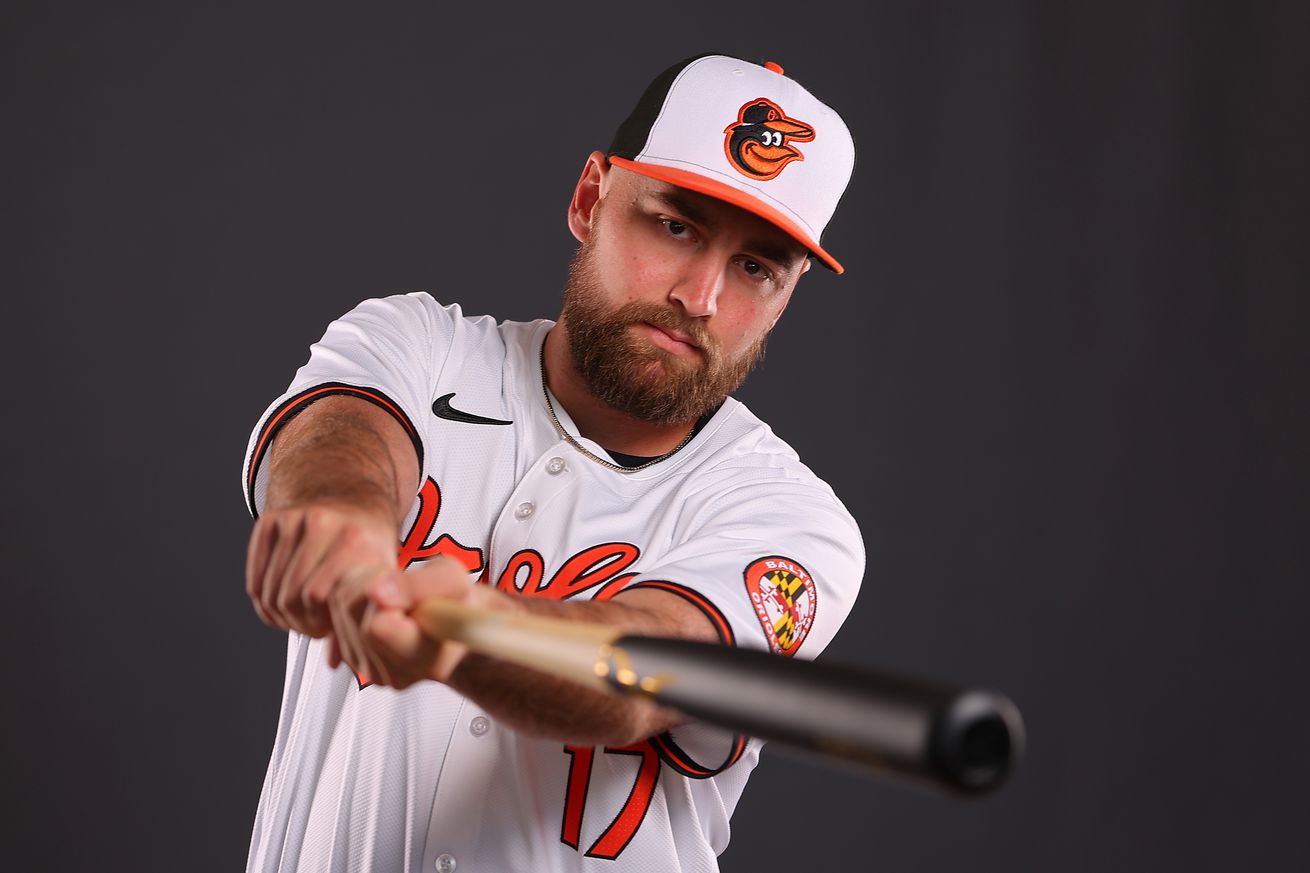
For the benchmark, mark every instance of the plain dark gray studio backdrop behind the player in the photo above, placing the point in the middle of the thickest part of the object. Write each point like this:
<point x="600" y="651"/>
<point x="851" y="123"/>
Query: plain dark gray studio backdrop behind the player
<point x="1062" y="386"/>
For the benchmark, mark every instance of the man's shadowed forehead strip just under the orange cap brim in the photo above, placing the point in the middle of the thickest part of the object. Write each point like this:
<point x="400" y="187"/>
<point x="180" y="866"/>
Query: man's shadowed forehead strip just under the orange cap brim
<point x="712" y="213"/>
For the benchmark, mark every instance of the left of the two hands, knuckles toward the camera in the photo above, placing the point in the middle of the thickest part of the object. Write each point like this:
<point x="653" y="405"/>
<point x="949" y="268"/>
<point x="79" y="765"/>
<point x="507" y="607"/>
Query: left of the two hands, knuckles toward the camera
<point x="303" y="560"/>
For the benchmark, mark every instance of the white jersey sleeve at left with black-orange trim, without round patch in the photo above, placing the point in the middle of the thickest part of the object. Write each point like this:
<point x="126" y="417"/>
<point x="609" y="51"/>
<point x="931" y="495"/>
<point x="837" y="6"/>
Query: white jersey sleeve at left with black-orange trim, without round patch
<point x="388" y="352"/>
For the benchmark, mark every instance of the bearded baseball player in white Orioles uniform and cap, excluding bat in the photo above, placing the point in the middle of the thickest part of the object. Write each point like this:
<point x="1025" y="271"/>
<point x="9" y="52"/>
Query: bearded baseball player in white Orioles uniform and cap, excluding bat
<point x="593" y="469"/>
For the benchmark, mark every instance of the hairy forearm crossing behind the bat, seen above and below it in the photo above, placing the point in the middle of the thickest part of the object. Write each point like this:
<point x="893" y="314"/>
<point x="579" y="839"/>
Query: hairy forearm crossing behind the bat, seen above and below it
<point x="542" y="706"/>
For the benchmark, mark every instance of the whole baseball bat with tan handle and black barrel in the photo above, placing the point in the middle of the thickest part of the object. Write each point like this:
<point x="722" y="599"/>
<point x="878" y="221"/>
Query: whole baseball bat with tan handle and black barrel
<point x="964" y="740"/>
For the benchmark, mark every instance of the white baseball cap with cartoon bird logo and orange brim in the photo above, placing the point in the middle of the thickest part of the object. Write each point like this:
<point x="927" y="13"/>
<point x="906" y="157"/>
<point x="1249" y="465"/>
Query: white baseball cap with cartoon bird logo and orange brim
<point x="745" y="134"/>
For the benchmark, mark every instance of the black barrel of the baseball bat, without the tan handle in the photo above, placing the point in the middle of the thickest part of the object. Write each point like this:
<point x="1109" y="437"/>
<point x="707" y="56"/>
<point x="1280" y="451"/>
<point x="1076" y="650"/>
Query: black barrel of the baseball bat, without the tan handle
<point x="964" y="740"/>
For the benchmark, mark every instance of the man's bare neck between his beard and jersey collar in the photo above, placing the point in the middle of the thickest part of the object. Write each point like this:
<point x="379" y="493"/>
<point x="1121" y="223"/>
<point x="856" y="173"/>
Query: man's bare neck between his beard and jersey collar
<point x="597" y="420"/>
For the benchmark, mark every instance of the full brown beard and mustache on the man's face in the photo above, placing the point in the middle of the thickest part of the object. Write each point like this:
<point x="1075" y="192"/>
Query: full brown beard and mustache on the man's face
<point x="632" y="376"/>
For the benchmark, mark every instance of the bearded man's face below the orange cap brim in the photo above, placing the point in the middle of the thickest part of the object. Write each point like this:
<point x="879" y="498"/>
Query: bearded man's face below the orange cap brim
<point x="671" y="298"/>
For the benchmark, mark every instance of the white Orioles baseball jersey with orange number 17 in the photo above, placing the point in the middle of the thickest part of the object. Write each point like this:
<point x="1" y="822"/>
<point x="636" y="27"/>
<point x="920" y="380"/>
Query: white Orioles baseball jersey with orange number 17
<point x="366" y="778"/>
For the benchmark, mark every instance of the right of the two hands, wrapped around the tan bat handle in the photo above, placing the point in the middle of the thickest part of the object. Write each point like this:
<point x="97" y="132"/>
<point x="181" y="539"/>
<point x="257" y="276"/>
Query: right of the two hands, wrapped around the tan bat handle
<point x="388" y="640"/>
